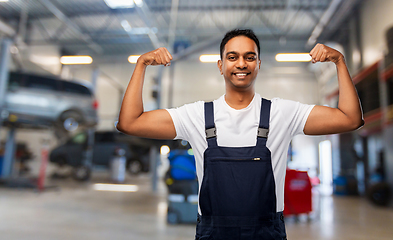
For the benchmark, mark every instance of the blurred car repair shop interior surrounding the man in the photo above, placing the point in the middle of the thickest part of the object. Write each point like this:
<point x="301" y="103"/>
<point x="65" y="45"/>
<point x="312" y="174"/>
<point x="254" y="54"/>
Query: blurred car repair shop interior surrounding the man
<point x="67" y="173"/>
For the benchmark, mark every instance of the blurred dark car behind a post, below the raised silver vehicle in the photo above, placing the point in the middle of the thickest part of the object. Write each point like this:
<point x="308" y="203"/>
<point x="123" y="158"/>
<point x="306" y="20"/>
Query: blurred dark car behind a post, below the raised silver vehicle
<point x="72" y="152"/>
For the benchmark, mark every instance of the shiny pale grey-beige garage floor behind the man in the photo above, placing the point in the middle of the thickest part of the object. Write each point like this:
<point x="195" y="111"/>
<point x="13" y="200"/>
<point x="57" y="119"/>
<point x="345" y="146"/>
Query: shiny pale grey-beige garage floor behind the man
<point x="77" y="211"/>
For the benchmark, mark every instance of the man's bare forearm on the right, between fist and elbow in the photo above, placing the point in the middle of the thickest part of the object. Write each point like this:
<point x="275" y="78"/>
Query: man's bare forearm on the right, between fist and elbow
<point x="348" y="102"/>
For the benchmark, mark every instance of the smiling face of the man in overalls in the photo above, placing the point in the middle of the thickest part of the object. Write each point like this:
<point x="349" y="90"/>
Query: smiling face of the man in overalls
<point x="240" y="64"/>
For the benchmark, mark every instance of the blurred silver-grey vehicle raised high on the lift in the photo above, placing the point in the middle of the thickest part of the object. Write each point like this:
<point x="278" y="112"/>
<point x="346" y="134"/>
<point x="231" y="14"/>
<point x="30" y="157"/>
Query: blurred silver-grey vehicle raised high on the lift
<point x="36" y="100"/>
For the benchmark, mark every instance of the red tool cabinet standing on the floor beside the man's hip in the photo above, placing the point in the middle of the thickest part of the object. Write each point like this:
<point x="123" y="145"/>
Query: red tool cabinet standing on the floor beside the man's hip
<point x="297" y="197"/>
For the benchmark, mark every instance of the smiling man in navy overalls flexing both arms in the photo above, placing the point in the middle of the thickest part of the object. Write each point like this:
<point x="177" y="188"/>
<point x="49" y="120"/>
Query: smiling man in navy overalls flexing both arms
<point x="240" y="141"/>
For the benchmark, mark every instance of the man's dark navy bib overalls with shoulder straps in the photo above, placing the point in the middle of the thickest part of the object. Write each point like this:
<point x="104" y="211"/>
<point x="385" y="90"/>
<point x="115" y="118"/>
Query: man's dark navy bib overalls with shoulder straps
<point x="237" y="196"/>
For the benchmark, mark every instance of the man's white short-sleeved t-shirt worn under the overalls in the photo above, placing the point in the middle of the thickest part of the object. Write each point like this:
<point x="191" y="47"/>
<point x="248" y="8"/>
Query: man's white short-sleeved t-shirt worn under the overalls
<point x="238" y="128"/>
